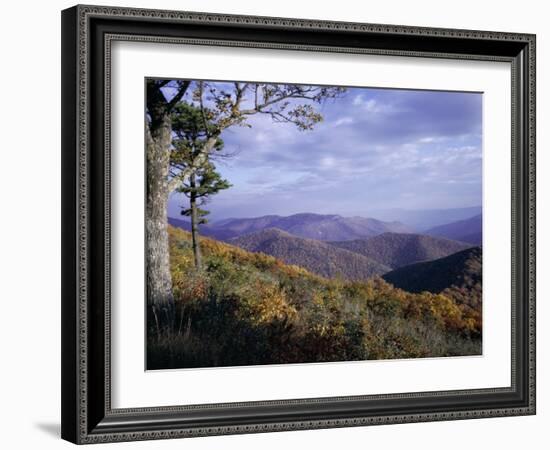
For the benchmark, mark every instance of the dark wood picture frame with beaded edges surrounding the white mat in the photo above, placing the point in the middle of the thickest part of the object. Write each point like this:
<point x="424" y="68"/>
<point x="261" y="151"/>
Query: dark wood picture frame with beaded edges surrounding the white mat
<point x="87" y="33"/>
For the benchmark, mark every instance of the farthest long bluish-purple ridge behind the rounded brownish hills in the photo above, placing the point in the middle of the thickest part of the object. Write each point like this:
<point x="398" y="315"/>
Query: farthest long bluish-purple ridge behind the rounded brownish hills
<point x="322" y="227"/>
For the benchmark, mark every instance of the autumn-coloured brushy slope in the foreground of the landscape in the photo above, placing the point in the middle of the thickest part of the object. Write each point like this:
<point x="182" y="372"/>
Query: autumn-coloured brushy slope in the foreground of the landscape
<point x="249" y="308"/>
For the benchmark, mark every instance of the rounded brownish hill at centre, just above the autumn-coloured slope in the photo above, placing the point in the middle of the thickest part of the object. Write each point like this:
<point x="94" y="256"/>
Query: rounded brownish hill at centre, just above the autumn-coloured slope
<point x="316" y="256"/>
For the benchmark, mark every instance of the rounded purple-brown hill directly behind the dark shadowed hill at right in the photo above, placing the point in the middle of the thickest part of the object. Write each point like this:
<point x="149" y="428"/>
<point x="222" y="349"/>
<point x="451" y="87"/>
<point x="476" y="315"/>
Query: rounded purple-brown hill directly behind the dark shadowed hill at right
<point x="398" y="249"/>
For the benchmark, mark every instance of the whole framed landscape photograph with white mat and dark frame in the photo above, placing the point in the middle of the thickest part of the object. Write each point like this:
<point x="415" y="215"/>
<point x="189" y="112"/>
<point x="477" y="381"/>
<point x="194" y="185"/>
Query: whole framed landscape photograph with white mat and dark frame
<point x="279" y="224"/>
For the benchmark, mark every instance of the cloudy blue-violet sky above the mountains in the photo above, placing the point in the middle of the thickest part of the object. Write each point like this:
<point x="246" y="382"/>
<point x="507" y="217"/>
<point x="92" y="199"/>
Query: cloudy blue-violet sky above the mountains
<point x="375" y="149"/>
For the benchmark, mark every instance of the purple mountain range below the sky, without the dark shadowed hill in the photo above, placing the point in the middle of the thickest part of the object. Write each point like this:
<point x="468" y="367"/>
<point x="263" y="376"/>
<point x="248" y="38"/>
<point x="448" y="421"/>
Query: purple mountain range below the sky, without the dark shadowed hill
<point x="353" y="248"/>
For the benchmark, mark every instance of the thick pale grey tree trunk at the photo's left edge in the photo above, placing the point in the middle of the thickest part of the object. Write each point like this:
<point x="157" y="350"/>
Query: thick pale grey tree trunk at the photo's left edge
<point x="160" y="299"/>
